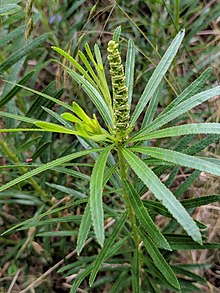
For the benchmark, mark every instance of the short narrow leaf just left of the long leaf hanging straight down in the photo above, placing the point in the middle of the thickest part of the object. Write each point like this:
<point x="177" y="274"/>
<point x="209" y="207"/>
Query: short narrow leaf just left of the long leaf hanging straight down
<point x="84" y="228"/>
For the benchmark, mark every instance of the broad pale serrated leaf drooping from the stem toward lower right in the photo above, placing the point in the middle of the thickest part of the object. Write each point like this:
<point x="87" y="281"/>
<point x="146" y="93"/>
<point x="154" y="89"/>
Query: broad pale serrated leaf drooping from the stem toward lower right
<point x="163" y="194"/>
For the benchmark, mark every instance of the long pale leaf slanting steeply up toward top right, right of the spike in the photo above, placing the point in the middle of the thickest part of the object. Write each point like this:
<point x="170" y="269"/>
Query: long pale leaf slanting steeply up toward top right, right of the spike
<point x="157" y="76"/>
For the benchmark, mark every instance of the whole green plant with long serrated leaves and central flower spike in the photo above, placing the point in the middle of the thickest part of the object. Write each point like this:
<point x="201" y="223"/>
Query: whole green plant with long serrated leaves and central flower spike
<point x="129" y="175"/>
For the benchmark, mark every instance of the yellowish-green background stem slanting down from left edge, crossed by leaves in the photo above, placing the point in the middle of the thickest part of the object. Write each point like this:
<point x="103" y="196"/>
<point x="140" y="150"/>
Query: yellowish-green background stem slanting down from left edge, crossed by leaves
<point x="24" y="170"/>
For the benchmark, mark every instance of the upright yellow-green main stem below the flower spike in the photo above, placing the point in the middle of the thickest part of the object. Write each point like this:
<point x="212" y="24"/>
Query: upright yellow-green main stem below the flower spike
<point x="123" y="170"/>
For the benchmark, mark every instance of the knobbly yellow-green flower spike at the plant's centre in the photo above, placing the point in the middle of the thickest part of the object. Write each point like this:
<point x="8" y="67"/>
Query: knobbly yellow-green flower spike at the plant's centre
<point x="121" y="107"/>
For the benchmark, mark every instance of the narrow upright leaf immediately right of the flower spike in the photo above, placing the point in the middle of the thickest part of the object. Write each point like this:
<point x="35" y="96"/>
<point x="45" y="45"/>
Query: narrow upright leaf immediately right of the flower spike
<point x="129" y="69"/>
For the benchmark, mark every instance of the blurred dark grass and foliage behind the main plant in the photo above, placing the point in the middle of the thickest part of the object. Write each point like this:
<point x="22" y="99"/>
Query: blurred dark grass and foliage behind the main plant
<point x="31" y="258"/>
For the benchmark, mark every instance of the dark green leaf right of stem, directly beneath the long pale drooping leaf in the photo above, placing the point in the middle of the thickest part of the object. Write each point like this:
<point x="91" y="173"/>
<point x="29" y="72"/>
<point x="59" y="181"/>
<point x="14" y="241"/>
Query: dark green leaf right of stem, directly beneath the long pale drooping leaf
<point x="143" y="216"/>
